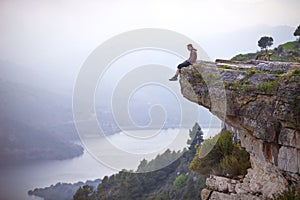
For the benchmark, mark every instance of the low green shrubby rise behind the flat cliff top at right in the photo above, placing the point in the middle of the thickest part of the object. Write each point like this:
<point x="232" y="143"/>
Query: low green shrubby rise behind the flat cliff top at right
<point x="287" y="52"/>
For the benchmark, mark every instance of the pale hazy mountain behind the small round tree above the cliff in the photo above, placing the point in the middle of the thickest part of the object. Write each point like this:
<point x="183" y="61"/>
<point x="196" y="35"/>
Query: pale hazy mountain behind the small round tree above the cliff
<point x="242" y="41"/>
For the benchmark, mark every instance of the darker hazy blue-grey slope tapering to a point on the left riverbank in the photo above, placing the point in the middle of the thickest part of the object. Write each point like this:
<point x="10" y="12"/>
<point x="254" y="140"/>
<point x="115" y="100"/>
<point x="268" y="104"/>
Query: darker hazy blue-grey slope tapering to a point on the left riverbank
<point x="22" y="143"/>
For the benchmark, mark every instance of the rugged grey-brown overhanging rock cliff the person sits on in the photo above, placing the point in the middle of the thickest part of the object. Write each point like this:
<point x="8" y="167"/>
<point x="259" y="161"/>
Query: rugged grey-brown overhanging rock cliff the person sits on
<point x="260" y="102"/>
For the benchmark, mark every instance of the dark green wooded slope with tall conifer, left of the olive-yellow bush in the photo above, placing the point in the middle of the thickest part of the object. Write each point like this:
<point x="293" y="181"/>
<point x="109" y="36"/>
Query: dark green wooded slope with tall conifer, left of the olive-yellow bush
<point x="174" y="181"/>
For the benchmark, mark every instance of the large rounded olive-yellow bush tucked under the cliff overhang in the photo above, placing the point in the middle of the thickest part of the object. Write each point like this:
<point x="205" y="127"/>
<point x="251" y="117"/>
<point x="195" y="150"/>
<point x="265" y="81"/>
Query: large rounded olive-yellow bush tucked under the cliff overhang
<point x="225" y="157"/>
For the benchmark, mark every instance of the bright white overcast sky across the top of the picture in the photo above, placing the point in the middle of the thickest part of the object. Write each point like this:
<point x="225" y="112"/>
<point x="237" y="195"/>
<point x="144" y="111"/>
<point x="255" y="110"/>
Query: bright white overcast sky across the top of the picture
<point x="52" y="31"/>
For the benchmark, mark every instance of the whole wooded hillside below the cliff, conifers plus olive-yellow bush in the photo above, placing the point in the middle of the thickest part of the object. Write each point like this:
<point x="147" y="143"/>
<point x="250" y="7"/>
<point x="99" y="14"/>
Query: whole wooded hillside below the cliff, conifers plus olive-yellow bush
<point x="182" y="179"/>
